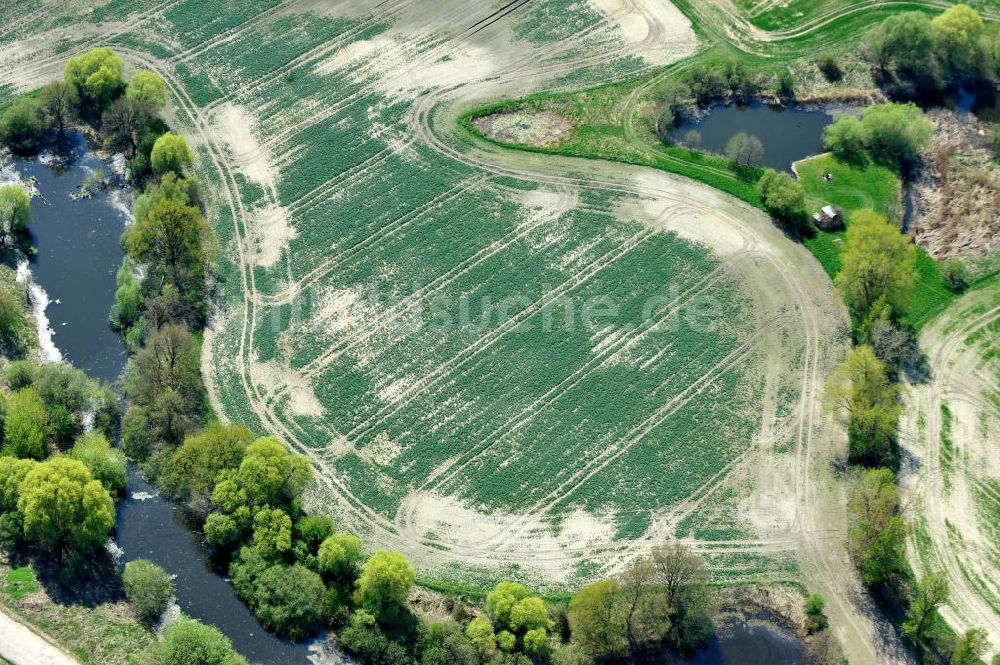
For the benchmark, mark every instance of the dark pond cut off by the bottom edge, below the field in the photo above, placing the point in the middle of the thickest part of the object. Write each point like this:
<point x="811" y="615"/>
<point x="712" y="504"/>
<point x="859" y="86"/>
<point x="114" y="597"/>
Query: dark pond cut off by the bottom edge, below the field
<point x="740" y="643"/>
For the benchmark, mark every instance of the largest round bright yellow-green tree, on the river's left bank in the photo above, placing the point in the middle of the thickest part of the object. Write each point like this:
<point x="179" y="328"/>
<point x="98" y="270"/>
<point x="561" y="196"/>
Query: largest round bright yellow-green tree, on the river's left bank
<point x="64" y="507"/>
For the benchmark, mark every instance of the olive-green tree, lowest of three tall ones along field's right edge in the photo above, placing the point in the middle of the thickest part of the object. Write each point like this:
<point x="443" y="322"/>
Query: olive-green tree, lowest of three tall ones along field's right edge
<point x="877" y="536"/>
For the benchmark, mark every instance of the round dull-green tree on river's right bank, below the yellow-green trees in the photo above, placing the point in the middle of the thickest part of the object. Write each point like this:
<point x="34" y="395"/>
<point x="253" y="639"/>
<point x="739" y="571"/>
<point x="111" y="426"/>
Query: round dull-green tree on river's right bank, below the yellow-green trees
<point x="290" y="600"/>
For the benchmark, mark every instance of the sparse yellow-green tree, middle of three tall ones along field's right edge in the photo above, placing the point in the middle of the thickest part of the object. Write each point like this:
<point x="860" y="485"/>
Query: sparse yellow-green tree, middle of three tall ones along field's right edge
<point x="860" y="389"/>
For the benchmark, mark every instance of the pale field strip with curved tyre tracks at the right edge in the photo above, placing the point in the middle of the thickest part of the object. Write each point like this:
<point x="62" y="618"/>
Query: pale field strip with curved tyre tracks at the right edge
<point x="951" y="434"/>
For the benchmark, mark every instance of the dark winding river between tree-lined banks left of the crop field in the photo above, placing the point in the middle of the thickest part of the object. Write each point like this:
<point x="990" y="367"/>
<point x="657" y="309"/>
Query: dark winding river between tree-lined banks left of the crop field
<point x="73" y="276"/>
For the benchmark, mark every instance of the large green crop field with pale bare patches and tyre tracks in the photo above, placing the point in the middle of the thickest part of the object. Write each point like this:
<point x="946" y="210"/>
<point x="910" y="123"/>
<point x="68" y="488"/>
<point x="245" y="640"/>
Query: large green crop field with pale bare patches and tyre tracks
<point x="499" y="372"/>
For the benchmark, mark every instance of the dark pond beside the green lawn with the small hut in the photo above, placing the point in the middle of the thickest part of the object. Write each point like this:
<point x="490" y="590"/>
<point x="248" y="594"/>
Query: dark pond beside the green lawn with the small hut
<point x="788" y="134"/>
